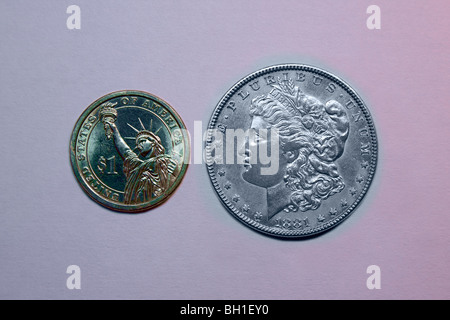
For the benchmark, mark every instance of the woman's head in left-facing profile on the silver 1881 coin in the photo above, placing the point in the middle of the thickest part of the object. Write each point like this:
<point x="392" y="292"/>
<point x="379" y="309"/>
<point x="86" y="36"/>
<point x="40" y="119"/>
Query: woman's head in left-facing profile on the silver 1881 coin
<point x="312" y="136"/>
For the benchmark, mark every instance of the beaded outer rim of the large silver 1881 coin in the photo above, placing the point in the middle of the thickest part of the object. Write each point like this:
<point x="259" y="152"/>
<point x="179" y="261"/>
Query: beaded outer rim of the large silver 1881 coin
<point x="278" y="232"/>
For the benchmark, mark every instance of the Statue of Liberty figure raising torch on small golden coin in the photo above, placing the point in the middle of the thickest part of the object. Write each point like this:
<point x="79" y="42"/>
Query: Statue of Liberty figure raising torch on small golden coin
<point x="149" y="172"/>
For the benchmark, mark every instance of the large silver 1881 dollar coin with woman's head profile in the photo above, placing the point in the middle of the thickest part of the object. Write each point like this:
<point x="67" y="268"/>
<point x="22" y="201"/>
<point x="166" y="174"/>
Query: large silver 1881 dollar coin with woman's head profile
<point x="291" y="150"/>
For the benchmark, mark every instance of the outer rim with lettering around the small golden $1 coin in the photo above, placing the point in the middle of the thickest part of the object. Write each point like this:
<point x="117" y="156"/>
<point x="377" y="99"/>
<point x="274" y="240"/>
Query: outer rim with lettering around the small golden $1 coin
<point x="137" y="208"/>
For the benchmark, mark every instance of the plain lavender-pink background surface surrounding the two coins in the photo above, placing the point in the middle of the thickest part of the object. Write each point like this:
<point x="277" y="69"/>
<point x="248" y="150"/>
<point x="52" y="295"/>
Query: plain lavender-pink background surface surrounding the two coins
<point x="190" y="53"/>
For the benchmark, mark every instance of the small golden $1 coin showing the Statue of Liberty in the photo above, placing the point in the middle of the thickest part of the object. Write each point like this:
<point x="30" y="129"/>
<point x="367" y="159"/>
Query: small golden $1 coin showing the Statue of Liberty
<point x="129" y="151"/>
